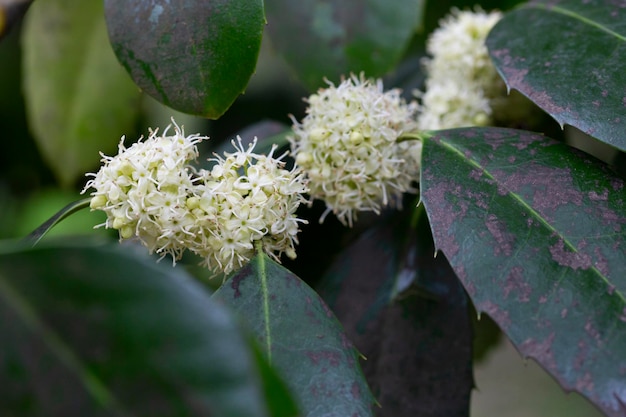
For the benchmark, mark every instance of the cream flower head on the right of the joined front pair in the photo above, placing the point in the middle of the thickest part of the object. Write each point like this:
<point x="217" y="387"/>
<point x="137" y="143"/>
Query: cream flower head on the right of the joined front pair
<point x="248" y="197"/>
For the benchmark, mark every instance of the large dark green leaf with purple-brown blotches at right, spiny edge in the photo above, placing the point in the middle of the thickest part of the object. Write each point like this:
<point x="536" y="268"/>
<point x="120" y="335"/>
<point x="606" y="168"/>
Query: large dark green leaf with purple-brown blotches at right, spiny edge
<point x="536" y="231"/>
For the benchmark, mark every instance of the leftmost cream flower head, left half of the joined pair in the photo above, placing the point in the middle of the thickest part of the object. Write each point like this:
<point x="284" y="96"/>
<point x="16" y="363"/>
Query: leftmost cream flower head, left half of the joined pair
<point x="144" y="190"/>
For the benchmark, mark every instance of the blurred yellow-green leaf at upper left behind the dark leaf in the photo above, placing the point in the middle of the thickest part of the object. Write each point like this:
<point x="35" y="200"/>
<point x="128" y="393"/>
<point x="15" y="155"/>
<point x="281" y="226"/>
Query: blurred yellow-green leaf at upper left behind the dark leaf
<point x="79" y="99"/>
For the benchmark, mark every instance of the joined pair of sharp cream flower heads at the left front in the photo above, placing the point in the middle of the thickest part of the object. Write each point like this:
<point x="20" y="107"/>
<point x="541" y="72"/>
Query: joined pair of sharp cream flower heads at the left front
<point x="150" y="191"/>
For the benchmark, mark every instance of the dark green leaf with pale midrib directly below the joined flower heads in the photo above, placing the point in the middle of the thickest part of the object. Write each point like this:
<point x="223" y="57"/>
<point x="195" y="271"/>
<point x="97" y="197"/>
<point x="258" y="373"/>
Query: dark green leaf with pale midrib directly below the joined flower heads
<point x="301" y="337"/>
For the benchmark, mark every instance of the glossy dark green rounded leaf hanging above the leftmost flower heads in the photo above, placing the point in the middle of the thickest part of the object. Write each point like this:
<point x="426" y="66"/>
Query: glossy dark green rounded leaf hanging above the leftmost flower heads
<point x="191" y="55"/>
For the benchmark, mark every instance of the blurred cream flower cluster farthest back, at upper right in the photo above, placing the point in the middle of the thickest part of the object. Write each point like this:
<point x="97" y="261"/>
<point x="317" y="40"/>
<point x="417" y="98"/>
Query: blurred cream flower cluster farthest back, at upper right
<point x="462" y="85"/>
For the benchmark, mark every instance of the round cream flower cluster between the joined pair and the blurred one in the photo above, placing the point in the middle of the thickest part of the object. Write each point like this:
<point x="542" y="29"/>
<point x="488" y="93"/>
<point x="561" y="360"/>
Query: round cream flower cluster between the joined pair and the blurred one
<point x="348" y="146"/>
